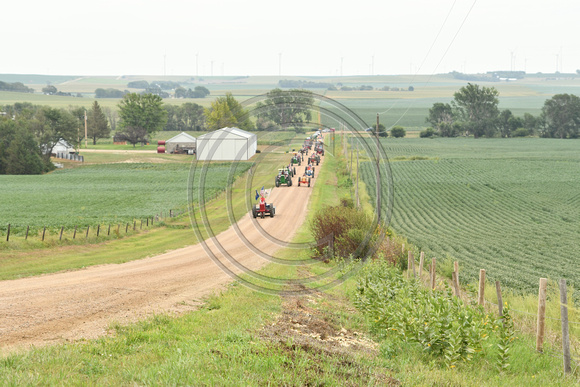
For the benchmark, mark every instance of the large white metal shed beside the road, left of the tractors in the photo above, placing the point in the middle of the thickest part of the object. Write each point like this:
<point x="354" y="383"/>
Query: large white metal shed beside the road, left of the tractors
<point x="226" y="144"/>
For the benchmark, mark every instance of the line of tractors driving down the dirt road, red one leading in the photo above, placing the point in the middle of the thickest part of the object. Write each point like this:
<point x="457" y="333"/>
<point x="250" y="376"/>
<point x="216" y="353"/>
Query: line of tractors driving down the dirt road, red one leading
<point x="286" y="173"/>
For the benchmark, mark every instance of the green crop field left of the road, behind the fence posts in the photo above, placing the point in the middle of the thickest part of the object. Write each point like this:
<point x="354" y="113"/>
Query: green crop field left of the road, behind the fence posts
<point x="107" y="193"/>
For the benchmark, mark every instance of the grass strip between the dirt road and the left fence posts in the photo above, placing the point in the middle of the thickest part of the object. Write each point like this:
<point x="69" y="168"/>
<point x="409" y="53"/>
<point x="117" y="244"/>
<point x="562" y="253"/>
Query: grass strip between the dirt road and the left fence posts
<point x="20" y="258"/>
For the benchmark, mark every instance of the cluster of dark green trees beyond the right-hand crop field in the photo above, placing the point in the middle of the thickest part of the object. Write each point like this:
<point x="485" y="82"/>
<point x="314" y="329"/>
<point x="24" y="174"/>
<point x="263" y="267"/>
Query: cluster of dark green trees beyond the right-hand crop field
<point x="475" y="111"/>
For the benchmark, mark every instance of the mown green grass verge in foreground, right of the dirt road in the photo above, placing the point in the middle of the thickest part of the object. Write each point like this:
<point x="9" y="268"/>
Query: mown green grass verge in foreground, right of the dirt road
<point x="226" y="342"/>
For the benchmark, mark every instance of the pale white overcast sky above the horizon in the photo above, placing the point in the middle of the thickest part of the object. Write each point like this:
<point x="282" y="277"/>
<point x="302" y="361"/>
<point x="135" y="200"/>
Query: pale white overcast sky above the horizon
<point x="305" y="37"/>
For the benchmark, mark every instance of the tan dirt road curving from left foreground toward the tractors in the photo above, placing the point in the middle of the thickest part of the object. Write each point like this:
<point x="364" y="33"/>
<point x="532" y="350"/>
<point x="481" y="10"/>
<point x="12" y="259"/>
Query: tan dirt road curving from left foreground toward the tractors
<point x="82" y="304"/>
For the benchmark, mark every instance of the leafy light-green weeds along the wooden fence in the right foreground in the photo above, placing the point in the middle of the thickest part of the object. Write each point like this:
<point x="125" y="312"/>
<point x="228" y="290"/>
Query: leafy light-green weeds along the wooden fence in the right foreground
<point x="440" y="323"/>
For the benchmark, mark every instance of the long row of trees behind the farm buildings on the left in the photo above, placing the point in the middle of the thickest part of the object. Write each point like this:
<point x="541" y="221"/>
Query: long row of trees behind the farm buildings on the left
<point x="29" y="133"/>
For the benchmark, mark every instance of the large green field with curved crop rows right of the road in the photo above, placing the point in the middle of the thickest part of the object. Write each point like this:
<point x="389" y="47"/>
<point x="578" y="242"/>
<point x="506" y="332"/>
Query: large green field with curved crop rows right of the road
<point x="511" y="207"/>
